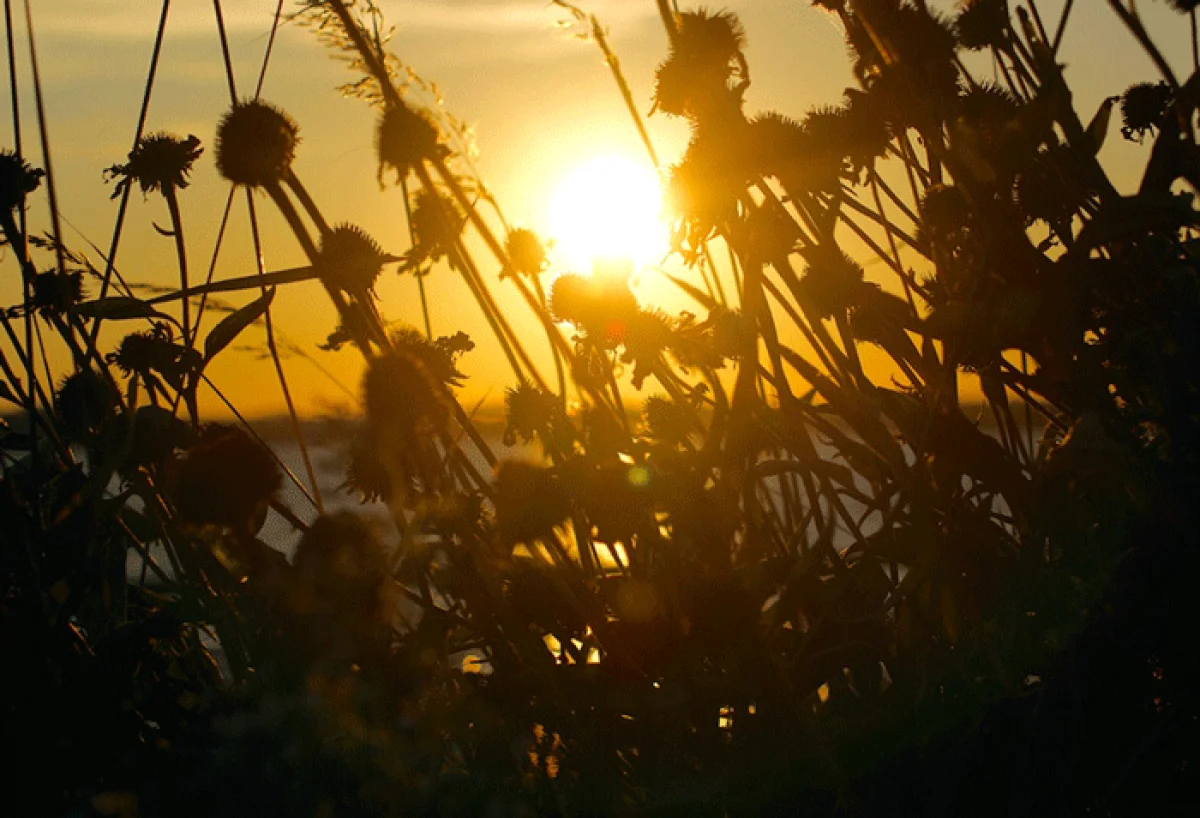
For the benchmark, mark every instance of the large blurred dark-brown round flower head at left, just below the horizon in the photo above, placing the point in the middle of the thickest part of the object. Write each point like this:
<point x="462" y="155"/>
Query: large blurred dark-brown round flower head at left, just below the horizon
<point x="226" y="479"/>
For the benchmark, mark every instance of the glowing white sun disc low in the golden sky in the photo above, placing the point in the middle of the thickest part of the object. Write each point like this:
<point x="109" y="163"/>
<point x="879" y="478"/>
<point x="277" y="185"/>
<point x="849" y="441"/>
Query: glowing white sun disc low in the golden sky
<point x="609" y="208"/>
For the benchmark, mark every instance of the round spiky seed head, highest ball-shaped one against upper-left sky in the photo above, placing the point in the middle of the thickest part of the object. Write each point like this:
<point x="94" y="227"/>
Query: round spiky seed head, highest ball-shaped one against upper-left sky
<point x="256" y="145"/>
